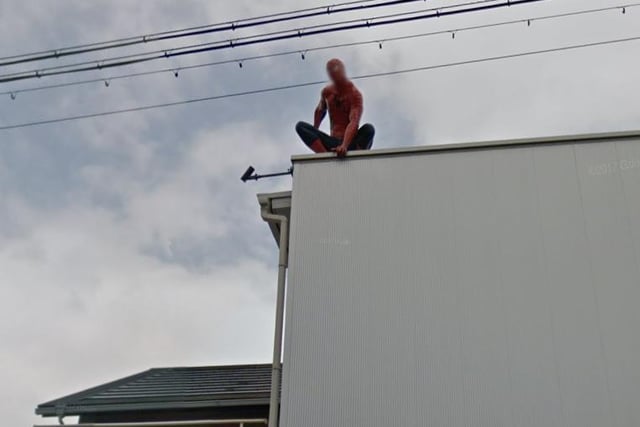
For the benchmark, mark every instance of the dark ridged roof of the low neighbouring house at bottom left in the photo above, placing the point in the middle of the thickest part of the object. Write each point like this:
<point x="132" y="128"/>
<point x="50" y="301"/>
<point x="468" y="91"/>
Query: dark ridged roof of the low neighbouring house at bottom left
<point x="170" y="389"/>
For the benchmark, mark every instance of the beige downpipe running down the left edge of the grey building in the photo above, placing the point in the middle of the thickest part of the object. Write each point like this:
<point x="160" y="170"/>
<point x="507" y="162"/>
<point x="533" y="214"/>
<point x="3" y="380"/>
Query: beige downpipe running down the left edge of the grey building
<point x="276" y="369"/>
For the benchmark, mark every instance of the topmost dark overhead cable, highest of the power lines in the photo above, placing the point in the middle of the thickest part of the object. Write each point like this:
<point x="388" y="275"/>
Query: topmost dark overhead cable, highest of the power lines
<point x="351" y="6"/>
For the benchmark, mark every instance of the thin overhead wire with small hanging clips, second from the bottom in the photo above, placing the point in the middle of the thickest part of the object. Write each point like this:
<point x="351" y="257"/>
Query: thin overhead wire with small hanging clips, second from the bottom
<point x="303" y="52"/>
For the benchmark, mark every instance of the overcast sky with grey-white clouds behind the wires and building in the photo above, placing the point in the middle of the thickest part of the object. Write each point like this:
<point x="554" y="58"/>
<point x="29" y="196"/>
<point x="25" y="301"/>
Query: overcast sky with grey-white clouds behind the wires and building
<point x="129" y="242"/>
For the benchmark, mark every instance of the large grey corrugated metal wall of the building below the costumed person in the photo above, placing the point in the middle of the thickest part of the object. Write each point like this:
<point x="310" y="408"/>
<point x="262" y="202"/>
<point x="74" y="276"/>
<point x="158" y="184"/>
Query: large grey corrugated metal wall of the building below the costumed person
<point x="490" y="287"/>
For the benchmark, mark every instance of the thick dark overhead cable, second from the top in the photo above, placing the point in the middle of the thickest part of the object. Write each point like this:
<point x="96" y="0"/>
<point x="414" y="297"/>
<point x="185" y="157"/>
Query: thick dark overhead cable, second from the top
<point x="260" y="39"/>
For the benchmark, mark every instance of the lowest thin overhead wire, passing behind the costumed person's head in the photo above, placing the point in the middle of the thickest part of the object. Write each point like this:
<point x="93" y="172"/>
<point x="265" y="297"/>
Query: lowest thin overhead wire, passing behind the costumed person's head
<point x="316" y="83"/>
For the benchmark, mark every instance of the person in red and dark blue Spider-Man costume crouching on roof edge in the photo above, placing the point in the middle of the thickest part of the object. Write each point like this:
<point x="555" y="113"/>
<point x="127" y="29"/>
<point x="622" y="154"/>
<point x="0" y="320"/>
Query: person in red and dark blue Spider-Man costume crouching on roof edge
<point x="343" y="101"/>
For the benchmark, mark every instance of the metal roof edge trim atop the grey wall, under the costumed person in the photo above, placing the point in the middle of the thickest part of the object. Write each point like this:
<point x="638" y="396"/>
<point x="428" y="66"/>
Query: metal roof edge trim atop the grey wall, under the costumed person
<point x="473" y="145"/>
